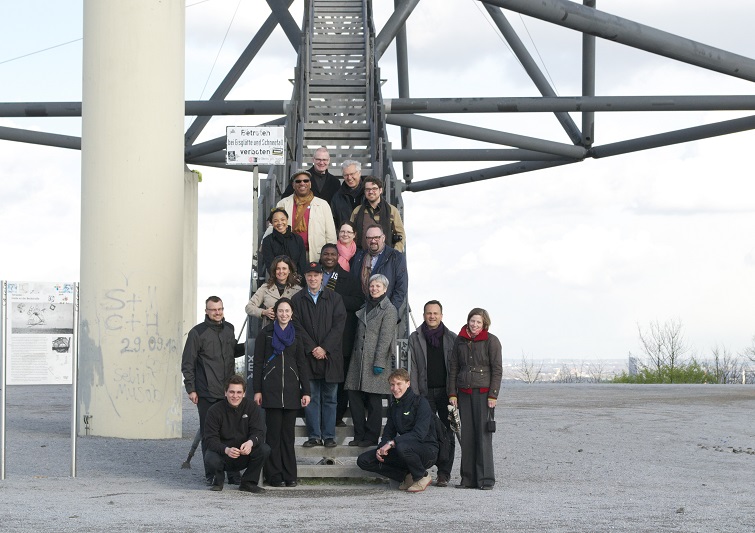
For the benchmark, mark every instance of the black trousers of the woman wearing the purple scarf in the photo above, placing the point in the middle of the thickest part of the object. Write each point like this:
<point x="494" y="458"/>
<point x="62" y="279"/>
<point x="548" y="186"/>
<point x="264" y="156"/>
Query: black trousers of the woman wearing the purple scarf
<point x="281" y="466"/>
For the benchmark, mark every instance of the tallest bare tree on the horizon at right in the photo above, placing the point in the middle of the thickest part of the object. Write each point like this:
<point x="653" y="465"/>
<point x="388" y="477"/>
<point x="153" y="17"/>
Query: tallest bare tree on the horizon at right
<point x="664" y="346"/>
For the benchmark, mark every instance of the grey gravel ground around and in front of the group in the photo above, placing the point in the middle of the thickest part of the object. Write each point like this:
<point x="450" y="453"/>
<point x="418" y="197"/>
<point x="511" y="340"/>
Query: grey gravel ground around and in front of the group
<point x="569" y="458"/>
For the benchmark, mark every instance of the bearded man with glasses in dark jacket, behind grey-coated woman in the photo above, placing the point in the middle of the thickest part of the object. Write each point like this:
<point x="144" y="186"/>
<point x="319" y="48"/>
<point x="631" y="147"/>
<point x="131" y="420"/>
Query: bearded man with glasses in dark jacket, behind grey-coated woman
<point x="382" y="259"/>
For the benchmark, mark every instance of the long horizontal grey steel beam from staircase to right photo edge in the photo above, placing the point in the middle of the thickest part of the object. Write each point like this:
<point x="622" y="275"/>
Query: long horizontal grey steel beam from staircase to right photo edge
<point x="396" y="106"/>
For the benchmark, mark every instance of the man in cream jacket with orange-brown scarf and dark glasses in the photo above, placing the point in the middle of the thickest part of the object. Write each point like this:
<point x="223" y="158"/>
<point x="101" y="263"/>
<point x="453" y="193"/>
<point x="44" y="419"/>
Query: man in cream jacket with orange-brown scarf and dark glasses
<point x="311" y="217"/>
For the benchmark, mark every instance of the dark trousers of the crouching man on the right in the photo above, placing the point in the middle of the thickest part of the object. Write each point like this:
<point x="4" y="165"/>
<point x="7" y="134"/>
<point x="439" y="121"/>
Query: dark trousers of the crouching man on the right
<point x="409" y="456"/>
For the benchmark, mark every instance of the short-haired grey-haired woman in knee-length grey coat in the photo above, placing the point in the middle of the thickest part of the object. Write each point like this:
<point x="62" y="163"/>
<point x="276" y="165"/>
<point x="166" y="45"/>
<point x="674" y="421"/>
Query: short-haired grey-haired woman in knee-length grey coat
<point x="373" y="347"/>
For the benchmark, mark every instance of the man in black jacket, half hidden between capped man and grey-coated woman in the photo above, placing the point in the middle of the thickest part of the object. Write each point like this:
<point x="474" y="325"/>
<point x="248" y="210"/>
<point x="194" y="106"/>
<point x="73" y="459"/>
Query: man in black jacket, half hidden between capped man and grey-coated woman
<point x="342" y="282"/>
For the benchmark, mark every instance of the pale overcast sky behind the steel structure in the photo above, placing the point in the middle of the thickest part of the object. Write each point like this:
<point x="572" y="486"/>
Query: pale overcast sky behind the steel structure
<point x="567" y="261"/>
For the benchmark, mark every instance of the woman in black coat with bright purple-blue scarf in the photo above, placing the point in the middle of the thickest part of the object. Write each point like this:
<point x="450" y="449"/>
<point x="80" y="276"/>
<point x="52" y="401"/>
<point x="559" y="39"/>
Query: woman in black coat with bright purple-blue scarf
<point x="281" y="379"/>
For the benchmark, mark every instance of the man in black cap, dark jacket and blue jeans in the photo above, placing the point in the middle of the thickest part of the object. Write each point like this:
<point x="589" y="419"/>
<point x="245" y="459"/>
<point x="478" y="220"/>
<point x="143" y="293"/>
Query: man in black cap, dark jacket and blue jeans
<point x="319" y="316"/>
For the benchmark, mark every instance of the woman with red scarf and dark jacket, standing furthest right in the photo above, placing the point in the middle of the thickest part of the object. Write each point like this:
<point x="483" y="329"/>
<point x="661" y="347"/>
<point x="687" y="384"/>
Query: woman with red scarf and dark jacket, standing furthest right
<point x="474" y="380"/>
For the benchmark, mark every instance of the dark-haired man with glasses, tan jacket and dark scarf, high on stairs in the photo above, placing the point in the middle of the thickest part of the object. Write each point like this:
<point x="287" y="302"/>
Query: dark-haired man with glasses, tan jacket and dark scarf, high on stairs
<point x="374" y="210"/>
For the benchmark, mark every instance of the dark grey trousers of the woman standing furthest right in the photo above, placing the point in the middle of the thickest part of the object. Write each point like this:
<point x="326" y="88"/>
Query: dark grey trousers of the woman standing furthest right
<point x="476" y="442"/>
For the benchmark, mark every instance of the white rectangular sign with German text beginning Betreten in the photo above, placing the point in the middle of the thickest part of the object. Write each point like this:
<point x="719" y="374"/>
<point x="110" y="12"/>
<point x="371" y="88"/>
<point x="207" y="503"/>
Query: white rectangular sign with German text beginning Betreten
<point x="255" y="145"/>
